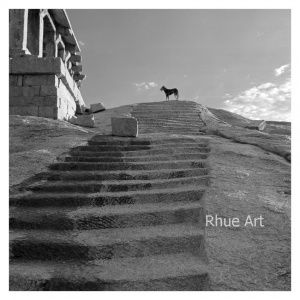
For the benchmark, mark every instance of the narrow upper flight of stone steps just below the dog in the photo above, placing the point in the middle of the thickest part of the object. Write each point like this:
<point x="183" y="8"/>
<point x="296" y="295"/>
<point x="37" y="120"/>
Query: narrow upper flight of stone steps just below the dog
<point x="177" y="117"/>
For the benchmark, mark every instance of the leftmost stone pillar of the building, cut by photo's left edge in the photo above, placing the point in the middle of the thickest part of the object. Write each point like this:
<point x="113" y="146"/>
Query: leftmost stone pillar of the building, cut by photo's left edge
<point x="18" y="21"/>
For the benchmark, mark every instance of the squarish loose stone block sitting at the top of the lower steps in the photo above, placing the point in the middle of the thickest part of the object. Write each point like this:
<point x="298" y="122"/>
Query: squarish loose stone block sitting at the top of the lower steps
<point x="124" y="126"/>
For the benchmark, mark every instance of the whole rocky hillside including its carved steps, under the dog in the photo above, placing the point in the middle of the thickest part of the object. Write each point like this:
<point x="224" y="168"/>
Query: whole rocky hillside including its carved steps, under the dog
<point x="130" y="214"/>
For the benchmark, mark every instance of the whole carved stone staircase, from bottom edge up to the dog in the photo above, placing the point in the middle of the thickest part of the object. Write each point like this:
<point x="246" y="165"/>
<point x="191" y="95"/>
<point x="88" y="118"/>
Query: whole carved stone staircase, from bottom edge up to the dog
<point x="118" y="214"/>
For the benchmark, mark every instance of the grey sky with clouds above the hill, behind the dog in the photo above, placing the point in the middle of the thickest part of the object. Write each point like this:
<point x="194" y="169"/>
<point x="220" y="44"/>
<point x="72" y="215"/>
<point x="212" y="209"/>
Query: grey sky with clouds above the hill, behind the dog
<point x="238" y="60"/>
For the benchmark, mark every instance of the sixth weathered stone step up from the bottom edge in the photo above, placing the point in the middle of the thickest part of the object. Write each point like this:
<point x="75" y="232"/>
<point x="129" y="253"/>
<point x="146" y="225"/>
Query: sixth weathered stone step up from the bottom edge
<point x="128" y="175"/>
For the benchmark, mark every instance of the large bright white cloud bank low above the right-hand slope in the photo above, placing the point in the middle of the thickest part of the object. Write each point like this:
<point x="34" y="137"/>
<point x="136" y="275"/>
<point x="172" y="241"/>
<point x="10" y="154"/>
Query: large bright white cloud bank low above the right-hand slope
<point x="267" y="101"/>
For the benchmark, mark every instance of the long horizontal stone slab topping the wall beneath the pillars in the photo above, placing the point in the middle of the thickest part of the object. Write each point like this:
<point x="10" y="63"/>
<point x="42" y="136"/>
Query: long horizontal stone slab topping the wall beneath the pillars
<point x="37" y="65"/>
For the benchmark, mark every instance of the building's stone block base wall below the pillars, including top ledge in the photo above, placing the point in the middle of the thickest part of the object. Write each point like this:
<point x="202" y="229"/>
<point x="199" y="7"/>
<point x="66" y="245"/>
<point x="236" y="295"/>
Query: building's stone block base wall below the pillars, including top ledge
<point x="42" y="87"/>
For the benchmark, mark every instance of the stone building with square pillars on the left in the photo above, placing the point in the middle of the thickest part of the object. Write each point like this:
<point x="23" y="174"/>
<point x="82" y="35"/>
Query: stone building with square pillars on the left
<point x="44" y="67"/>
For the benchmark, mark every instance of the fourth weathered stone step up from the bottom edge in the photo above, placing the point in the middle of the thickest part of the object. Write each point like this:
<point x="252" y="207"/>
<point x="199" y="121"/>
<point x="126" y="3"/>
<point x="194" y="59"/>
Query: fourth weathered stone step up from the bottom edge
<point x="185" y="193"/>
